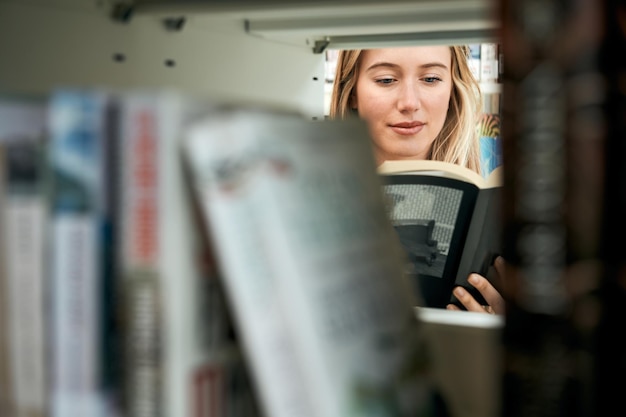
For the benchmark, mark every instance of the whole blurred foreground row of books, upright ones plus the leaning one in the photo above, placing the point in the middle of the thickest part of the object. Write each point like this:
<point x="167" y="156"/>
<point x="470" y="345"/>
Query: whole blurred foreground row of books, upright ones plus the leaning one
<point x="168" y="256"/>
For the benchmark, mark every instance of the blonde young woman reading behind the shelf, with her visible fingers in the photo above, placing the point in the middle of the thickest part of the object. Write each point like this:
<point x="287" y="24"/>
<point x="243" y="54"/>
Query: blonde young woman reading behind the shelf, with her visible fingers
<point x="420" y="102"/>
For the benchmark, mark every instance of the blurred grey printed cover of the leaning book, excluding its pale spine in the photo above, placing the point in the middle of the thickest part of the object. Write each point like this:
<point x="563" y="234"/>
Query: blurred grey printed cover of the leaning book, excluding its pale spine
<point x="339" y="273"/>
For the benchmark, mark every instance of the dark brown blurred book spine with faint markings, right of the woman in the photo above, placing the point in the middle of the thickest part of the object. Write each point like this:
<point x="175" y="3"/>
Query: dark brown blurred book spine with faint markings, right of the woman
<point x="553" y="148"/>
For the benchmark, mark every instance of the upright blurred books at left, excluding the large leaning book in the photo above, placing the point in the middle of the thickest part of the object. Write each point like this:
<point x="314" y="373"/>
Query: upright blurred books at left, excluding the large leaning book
<point x="110" y="306"/>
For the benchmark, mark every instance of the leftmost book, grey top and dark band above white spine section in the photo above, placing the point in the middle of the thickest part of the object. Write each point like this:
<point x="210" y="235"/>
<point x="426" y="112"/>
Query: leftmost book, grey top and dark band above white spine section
<point x="23" y="279"/>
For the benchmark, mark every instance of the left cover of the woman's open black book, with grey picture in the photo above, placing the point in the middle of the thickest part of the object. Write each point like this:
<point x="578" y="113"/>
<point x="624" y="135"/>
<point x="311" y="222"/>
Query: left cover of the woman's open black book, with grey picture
<point x="430" y="215"/>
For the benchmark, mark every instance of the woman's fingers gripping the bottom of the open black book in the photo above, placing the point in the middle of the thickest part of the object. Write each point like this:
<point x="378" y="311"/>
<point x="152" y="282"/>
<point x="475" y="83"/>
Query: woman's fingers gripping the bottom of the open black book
<point x="495" y="301"/>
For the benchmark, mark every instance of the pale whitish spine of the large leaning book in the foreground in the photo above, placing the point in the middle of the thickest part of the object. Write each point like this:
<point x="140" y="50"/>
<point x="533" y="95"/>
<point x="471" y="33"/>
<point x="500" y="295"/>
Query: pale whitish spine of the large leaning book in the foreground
<point x="229" y="196"/>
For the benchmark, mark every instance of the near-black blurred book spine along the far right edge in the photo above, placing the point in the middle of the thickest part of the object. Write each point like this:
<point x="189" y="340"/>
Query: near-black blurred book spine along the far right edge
<point x="610" y="357"/>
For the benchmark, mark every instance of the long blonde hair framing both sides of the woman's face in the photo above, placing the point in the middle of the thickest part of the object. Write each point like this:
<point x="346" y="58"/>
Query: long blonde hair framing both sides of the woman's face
<point x="458" y="140"/>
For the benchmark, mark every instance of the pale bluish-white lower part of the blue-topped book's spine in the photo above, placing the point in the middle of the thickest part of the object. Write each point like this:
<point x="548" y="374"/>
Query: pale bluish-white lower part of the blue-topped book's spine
<point x="76" y="312"/>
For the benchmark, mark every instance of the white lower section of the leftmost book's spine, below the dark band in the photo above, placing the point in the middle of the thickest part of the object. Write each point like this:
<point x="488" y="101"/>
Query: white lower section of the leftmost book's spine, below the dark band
<point x="25" y="224"/>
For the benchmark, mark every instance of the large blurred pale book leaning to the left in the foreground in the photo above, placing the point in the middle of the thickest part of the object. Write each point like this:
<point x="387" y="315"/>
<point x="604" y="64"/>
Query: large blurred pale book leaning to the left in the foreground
<point x="311" y="264"/>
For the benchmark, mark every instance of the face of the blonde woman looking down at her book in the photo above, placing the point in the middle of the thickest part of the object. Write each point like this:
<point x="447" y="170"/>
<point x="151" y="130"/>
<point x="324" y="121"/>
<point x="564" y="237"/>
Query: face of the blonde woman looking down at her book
<point x="403" y="93"/>
